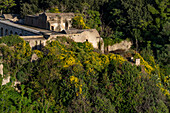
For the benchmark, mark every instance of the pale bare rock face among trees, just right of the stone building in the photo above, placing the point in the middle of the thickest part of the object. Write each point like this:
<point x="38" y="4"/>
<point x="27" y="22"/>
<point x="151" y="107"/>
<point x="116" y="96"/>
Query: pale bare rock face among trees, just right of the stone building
<point x="124" y="45"/>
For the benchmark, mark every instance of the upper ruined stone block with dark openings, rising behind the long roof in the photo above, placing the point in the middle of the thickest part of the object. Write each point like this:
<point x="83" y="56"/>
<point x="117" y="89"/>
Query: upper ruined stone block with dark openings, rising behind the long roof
<point x="50" y="21"/>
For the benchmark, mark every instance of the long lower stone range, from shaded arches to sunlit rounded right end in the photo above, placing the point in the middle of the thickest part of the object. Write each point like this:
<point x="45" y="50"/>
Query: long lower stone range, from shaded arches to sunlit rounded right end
<point x="37" y="38"/>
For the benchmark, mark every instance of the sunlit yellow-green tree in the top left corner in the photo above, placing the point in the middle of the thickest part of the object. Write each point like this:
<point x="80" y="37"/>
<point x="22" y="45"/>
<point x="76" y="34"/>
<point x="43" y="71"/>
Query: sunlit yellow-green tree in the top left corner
<point x="6" y="5"/>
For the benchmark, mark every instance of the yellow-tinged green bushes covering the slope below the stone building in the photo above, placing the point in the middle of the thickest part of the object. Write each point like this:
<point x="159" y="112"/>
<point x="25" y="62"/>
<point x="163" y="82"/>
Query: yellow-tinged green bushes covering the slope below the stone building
<point x="78" y="78"/>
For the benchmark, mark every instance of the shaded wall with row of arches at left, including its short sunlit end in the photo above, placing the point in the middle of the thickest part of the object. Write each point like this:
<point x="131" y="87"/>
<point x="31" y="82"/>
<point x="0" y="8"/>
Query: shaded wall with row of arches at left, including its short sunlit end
<point x="35" y="40"/>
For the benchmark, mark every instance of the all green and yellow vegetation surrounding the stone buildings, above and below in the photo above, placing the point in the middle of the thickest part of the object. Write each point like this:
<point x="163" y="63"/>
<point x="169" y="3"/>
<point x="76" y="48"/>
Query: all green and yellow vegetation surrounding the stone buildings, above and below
<point x="78" y="78"/>
